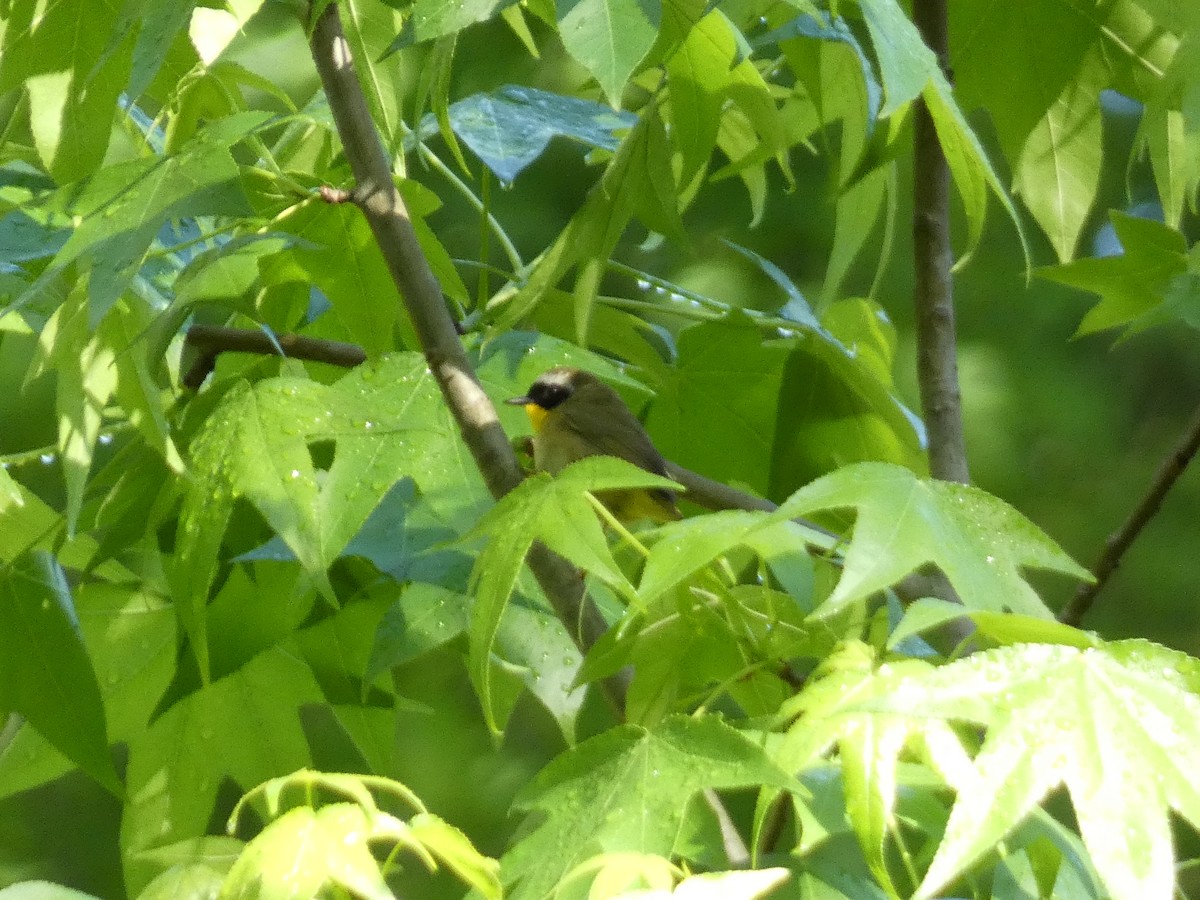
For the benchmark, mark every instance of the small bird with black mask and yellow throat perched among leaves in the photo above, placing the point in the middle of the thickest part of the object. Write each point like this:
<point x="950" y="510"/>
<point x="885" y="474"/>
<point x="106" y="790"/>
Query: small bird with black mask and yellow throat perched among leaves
<point x="574" y="416"/>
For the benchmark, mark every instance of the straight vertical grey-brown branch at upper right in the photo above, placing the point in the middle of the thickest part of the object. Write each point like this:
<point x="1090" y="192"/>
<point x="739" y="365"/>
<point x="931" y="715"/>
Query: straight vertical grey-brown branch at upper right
<point x="933" y="257"/>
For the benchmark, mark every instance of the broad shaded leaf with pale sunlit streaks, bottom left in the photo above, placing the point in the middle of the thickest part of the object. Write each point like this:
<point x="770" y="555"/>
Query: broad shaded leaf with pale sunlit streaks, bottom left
<point x="175" y="773"/>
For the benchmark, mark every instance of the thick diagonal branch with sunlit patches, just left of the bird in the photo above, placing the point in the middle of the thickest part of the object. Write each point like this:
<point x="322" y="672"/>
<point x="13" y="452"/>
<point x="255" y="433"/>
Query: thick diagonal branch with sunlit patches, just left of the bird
<point x="381" y="203"/>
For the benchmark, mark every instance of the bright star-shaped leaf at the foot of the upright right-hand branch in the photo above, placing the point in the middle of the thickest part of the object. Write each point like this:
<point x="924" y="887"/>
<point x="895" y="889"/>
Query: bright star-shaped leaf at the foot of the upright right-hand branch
<point x="905" y="523"/>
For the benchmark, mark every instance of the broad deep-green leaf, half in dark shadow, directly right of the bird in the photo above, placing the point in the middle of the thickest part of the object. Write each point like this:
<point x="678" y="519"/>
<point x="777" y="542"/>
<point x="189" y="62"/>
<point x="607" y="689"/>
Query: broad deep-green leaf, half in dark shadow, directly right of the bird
<point x="775" y="415"/>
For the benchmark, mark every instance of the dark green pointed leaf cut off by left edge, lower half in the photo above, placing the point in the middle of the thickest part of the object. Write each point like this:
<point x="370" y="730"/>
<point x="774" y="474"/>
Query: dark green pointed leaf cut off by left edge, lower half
<point x="45" y="670"/>
